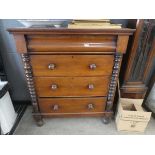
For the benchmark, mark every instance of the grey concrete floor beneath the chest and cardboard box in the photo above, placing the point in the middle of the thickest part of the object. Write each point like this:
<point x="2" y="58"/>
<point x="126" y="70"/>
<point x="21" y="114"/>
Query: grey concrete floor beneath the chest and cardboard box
<point x="72" y="126"/>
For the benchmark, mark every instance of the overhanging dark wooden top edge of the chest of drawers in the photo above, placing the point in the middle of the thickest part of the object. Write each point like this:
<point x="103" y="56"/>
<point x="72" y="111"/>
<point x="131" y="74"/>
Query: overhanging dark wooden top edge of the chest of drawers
<point x="43" y="31"/>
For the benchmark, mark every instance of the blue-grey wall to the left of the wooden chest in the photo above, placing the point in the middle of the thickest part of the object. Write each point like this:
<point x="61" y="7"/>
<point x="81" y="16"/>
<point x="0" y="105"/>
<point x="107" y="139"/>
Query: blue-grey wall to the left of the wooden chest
<point x="12" y="62"/>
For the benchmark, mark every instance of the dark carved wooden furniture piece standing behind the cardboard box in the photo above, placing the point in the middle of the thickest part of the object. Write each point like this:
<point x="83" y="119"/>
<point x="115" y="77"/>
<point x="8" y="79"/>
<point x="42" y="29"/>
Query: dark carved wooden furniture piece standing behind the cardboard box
<point x="140" y="64"/>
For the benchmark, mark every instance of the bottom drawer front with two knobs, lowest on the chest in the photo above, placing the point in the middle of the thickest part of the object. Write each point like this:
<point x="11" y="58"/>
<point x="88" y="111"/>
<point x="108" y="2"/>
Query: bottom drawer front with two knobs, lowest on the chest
<point x="72" y="105"/>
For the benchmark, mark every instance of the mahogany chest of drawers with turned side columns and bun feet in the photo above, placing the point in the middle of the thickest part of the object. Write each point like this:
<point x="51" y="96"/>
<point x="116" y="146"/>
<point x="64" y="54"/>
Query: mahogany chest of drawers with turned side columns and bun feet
<point x="71" y="72"/>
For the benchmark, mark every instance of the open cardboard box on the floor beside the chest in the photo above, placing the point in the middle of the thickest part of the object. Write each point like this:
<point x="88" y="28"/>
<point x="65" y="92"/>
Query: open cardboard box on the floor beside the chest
<point x="131" y="116"/>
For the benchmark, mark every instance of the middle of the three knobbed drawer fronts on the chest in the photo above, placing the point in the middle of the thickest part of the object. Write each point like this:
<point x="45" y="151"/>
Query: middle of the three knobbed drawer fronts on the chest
<point x="72" y="86"/>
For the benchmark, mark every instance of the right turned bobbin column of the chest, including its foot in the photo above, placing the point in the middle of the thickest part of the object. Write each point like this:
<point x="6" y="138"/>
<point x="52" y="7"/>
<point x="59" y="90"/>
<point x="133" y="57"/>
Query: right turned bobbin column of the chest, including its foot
<point x="112" y="87"/>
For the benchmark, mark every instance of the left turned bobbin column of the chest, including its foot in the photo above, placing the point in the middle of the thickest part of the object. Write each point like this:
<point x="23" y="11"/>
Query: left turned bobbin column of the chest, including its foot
<point x="31" y="88"/>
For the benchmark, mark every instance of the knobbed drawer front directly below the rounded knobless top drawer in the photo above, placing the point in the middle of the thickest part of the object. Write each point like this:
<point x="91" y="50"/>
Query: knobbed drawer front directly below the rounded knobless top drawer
<point x="72" y="65"/>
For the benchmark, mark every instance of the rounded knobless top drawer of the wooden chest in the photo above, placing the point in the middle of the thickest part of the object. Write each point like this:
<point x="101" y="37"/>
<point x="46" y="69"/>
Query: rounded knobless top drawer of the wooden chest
<point x="71" y="43"/>
